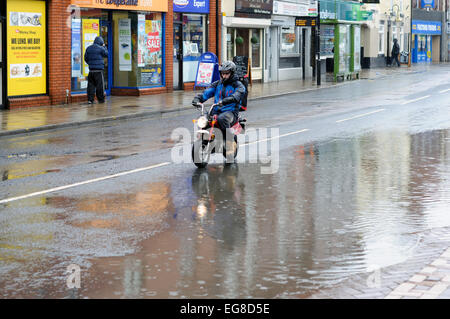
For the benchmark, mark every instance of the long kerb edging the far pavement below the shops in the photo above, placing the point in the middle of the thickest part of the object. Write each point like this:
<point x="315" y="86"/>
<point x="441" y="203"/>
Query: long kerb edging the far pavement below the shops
<point x="142" y="114"/>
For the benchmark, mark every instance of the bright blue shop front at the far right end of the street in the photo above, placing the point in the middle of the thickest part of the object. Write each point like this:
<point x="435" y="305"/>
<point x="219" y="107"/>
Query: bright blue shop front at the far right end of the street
<point x="426" y="41"/>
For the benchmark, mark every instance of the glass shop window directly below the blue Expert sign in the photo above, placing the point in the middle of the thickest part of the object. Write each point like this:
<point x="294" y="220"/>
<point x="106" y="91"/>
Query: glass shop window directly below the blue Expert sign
<point x="194" y="43"/>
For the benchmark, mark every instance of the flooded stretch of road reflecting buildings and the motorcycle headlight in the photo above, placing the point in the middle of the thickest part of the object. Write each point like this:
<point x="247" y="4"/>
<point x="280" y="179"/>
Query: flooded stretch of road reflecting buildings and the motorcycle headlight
<point x="335" y="208"/>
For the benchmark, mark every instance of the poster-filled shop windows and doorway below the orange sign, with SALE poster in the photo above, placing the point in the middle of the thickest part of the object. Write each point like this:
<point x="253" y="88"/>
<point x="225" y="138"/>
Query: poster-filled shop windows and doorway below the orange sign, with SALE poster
<point x="137" y="47"/>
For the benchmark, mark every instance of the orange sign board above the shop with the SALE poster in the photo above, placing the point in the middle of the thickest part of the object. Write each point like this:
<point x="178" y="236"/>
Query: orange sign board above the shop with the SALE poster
<point x="139" y="5"/>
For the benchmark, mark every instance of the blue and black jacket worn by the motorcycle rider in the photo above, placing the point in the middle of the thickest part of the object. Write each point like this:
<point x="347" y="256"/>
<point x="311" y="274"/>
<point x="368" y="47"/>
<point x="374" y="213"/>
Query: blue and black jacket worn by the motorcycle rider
<point x="220" y="90"/>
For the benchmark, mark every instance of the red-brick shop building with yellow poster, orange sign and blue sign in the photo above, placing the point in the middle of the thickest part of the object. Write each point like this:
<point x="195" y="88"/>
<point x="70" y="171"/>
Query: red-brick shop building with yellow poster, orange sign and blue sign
<point x="153" y="46"/>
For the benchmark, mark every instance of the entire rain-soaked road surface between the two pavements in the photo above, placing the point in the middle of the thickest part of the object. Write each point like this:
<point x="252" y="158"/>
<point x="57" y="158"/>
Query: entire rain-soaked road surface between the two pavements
<point x="363" y="173"/>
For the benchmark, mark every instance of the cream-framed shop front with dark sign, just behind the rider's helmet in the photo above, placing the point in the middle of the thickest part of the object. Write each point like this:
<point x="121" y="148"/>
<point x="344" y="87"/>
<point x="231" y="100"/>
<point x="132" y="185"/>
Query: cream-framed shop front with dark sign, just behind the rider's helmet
<point x="245" y="33"/>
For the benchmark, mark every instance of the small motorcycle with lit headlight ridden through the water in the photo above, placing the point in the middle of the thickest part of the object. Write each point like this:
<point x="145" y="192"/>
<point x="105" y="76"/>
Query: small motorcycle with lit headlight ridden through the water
<point x="206" y="142"/>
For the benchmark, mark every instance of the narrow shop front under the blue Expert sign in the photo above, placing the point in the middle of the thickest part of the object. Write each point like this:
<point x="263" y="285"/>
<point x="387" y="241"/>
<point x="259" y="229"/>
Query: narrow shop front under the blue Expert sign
<point x="190" y="39"/>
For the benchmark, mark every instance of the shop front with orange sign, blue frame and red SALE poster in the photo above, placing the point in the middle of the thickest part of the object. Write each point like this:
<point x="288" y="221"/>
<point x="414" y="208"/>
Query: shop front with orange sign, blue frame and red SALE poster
<point x="134" y="33"/>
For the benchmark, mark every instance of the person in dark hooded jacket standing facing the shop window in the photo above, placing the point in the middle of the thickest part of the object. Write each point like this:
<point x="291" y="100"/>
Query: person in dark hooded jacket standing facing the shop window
<point x="94" y="58"/>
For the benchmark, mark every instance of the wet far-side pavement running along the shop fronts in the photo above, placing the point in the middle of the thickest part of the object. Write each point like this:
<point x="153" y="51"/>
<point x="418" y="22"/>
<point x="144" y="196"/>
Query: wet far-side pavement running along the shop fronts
<point x="32" y="119"/>
